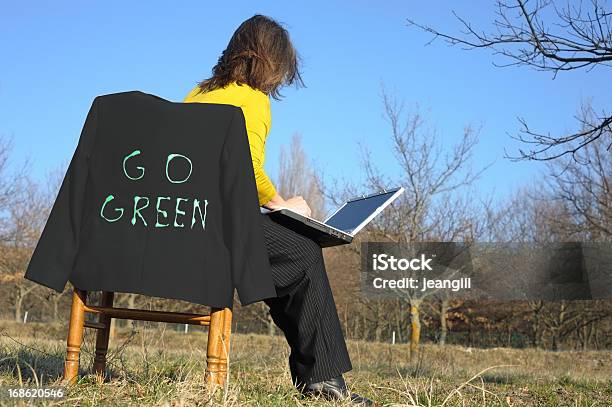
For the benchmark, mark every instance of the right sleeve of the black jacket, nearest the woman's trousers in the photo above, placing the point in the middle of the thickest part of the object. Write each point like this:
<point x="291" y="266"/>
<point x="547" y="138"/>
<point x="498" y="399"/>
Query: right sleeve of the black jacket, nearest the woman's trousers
<point x="250" y="267"/>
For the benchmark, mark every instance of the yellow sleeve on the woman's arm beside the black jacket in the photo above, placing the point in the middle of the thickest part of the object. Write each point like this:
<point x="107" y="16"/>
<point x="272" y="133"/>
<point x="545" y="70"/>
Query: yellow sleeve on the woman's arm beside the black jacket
<point x="258" y="121"/>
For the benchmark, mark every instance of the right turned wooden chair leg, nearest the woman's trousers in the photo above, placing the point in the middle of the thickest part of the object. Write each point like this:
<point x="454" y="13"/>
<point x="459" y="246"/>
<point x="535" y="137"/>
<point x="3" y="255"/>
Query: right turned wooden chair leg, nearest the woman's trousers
<point x="217" y="353"/>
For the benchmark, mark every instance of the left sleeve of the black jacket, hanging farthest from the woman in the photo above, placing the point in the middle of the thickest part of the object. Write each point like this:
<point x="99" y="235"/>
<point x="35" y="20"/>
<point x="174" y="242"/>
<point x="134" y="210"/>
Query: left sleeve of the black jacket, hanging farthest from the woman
<point x="55" y="252"/>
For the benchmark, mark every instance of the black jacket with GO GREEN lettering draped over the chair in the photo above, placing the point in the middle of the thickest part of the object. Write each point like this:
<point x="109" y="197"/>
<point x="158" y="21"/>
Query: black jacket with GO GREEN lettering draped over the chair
<point x="159" y="199"/>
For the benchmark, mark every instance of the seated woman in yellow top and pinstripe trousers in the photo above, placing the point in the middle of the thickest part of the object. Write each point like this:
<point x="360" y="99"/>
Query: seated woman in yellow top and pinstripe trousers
<point x="257" y="62"/>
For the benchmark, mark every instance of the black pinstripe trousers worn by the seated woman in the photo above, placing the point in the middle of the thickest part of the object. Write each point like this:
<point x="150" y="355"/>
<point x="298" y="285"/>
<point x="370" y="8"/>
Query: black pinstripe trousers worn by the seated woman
<point x="304" y="308"/>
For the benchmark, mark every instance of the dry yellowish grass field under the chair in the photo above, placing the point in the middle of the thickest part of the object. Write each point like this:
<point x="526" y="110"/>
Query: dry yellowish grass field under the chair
<point x="155" y="366"/>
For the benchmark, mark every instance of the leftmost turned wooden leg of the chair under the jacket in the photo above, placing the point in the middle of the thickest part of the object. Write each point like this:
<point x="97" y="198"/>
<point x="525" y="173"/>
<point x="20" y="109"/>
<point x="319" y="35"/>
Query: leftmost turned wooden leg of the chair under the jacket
<point x="75" y="336"/>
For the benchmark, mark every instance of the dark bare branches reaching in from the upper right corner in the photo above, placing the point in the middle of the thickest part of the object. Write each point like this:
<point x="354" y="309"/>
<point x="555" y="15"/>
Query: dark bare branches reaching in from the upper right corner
<point x="577" y="36"/>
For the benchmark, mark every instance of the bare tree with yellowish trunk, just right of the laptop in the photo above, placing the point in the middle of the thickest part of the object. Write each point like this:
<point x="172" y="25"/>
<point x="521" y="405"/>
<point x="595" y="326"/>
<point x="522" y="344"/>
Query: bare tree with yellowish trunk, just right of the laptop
<point x="432" y="208"/>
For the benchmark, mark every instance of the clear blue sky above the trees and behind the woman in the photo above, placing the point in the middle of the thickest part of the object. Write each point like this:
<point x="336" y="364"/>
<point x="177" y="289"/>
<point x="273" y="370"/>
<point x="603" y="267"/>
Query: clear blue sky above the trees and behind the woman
<point x="57" y="56"/>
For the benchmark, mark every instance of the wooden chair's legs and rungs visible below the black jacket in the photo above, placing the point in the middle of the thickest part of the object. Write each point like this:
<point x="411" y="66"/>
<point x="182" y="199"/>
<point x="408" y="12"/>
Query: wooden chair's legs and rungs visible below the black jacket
<point x="217" y="352"/>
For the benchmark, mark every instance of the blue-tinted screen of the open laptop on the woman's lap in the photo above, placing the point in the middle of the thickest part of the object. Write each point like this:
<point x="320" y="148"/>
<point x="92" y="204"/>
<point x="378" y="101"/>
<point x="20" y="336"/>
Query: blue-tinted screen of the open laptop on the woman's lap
<point x="357" y="211"/>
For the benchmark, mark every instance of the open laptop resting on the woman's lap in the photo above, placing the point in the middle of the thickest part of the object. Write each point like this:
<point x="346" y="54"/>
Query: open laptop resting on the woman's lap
<point x="343" y="224"/>
